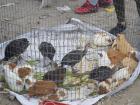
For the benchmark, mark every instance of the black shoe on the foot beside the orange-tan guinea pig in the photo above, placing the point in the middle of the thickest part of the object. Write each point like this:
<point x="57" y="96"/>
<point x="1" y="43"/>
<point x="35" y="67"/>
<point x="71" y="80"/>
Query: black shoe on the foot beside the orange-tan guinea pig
<point x="120" y="27"/>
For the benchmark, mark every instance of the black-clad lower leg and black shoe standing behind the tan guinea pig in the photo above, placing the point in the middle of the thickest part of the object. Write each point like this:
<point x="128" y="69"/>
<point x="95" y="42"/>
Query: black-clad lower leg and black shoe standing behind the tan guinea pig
<point x="120" y="12"/>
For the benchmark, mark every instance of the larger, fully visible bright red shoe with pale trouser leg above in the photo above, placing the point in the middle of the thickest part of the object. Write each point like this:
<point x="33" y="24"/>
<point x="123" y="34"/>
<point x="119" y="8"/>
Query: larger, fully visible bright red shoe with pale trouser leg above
<point x="87" y="7"/>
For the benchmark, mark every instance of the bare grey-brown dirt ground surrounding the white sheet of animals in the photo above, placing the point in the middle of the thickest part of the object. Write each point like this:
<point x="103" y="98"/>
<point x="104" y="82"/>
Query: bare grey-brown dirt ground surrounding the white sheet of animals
<point x="26" y="14"/>
